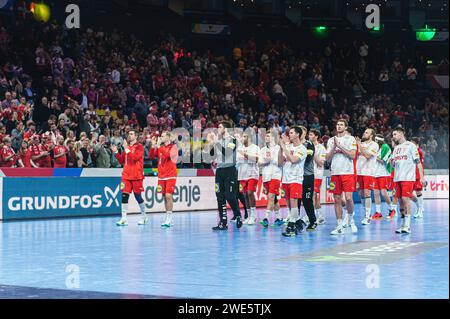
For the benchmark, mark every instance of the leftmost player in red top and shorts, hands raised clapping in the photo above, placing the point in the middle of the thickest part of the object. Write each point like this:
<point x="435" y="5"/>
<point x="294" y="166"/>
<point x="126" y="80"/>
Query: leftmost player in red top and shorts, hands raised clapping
<point x="132" y="160"/>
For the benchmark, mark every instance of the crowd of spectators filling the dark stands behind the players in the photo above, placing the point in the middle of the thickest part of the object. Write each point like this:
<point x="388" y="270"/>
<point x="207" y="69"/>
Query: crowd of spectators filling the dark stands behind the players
<point x="77" y="92"/>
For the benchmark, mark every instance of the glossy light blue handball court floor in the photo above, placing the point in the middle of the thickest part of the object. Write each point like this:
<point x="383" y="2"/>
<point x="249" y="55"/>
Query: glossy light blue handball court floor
<point x="93" y="258"/>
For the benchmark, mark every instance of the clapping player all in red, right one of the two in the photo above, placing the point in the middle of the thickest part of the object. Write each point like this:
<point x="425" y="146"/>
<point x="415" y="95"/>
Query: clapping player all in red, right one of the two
<point x="167" y="154"/>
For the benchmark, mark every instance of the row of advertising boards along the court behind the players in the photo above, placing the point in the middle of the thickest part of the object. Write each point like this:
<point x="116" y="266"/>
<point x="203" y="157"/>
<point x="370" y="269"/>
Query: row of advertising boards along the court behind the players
<point x="56" y="193"/>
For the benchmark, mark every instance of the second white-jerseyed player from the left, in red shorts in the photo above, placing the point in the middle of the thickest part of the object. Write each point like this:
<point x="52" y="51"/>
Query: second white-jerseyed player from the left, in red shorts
<point x="271" y="176"/>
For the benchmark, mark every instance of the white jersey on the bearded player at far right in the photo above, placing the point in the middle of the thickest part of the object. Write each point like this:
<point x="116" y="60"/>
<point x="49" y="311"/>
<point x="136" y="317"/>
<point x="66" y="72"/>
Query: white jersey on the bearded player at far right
<point x="405" y="157"/>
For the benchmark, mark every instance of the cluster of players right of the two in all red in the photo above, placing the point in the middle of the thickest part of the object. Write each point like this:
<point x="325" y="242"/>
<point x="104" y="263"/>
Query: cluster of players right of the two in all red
<point x="292" y="166"/>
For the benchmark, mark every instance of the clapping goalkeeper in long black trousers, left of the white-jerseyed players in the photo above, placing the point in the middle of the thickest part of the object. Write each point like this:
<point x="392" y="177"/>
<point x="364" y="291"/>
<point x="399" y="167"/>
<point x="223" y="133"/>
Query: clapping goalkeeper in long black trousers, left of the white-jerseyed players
<point x="223" y="150"/>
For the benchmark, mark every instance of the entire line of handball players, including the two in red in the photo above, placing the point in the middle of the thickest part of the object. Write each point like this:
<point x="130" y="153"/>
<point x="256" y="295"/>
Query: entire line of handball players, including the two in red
<point x="292" y="166"/>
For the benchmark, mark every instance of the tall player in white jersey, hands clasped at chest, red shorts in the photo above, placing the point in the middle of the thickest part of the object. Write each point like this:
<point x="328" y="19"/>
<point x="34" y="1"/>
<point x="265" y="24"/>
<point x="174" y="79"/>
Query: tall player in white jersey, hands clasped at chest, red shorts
<point x="341" y="150"/>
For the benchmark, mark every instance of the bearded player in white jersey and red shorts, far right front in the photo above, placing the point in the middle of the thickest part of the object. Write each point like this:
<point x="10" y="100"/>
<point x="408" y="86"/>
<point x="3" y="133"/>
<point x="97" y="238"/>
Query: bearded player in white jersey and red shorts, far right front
<point x="405" y="158"/>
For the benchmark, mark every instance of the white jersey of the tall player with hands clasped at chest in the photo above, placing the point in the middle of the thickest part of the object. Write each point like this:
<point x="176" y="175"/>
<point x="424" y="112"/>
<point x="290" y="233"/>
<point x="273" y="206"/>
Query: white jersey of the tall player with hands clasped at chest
<point x="341" y="164"/>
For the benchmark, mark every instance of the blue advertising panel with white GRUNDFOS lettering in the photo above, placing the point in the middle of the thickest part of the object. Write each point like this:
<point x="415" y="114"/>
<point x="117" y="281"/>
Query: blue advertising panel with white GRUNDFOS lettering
<point x="43" y="197"/>
